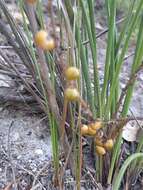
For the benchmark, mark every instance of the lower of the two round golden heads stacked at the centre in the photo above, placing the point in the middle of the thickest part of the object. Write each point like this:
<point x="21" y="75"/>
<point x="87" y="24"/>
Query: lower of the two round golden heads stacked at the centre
<point x="72" y="94"/>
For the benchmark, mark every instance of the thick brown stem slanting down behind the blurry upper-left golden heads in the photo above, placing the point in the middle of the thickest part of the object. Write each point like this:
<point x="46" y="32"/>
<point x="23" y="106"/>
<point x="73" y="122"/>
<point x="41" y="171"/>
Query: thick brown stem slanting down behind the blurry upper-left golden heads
<point x="47" y="83"/>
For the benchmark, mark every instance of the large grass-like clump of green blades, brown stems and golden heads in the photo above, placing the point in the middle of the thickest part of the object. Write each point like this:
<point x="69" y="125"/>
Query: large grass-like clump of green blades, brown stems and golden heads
<point x="77" y="103"/>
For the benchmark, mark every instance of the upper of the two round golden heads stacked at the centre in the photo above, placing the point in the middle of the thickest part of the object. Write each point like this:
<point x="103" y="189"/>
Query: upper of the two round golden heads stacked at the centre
<point x="72" y="73"/>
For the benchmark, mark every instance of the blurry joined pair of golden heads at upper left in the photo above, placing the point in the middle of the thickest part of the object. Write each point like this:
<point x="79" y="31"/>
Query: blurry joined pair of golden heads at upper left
<point x="41" y="40"/>
